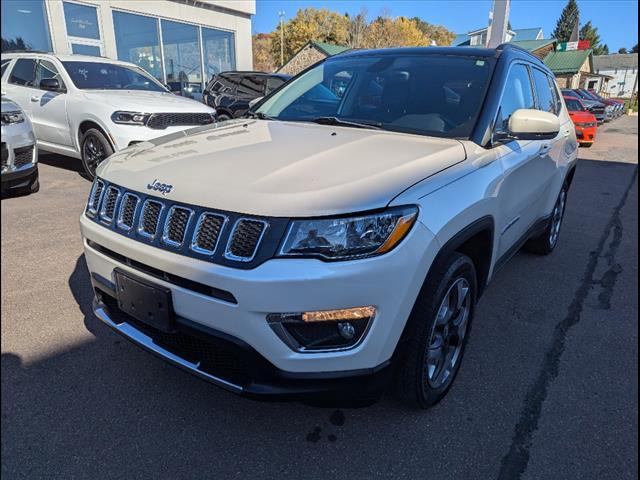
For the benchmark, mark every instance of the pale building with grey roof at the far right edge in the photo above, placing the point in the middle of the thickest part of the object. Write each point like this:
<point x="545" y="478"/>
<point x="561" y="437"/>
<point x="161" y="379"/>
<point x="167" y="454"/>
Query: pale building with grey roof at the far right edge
<point x="623" y="70"/>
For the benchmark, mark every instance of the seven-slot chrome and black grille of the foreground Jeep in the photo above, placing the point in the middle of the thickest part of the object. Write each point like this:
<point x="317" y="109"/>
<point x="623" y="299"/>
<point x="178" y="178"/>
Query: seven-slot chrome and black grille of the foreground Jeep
<point x="221" y="237"/>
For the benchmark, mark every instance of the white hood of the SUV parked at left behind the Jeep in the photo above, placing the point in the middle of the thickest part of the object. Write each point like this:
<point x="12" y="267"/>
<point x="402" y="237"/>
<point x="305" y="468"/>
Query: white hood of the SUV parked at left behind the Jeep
<point x="146" y="101"/>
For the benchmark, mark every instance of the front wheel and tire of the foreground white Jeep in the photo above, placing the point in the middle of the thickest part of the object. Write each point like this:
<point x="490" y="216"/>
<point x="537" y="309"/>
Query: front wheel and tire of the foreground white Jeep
<point x="437" y="332"/>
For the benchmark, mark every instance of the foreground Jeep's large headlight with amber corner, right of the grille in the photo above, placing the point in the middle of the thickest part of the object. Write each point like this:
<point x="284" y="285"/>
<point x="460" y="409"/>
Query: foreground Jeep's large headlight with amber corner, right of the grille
<point x="349" y="237"/>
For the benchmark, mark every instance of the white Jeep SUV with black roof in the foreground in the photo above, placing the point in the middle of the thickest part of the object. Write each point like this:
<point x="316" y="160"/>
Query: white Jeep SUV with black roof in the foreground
<point x="341" y="235"/>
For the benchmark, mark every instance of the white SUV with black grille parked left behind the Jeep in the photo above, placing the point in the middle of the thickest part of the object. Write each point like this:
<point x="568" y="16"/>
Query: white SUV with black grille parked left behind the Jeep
<point x="89" y="107"/>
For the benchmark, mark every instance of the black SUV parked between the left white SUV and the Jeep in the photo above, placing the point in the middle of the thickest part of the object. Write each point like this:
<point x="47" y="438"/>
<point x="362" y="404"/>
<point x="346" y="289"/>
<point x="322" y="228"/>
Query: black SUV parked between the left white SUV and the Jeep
<point x="231" y="92"/>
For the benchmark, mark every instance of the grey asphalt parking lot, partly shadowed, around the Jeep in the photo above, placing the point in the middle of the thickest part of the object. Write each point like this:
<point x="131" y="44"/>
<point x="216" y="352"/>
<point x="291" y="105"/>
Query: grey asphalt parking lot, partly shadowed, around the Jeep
<point x="548" y="387"/>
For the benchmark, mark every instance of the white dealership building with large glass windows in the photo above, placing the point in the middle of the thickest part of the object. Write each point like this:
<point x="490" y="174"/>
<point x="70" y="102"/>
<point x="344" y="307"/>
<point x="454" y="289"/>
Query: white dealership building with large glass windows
<point x="184" y="41"/>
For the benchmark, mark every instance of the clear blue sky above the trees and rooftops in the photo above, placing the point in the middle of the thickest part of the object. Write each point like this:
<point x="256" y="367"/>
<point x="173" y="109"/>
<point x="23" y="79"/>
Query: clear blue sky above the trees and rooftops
<point x="617" y="20"/>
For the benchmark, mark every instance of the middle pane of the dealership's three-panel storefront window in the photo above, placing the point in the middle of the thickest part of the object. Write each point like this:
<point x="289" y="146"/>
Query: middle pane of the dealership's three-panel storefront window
<point x="181" y="52"/>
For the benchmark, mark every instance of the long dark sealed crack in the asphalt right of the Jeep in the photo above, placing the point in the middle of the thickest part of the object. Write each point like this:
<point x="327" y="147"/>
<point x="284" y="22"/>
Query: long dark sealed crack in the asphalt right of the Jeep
<point x="515" y="462"/>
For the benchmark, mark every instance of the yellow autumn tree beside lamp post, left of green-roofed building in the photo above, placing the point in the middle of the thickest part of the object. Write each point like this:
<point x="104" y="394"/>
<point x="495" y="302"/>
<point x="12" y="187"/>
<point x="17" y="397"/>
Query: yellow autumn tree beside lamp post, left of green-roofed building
<point x="310" y="24"/>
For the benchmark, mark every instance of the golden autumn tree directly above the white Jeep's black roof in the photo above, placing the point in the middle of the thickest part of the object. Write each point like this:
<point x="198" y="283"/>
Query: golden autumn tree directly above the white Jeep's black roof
<point x="399" y="32"/>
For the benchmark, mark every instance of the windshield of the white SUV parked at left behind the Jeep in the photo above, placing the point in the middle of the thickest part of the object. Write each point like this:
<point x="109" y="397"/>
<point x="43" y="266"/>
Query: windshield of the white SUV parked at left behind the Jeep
<point x="109" y="76"/>
